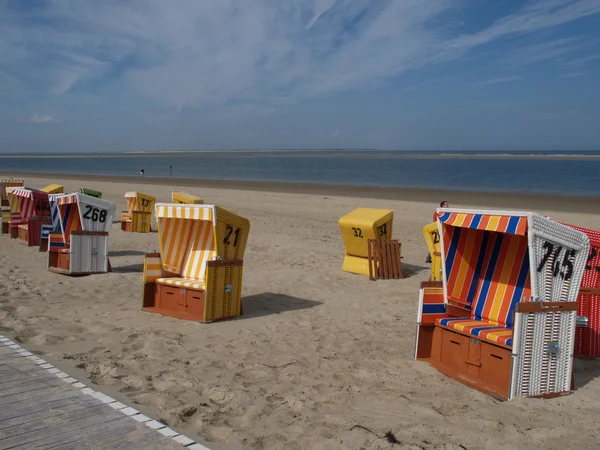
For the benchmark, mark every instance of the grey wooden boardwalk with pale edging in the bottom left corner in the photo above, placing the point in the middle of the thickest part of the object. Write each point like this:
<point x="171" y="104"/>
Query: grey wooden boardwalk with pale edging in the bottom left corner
<point x="41" y="407"/>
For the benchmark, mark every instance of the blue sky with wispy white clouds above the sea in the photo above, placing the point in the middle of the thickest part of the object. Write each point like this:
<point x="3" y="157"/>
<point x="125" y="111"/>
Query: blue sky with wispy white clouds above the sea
<point x="127" y="75"/>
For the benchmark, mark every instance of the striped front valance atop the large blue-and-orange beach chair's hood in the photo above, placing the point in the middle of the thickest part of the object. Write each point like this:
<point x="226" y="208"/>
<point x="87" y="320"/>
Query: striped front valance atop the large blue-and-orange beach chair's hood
<point x="511" y="224"/>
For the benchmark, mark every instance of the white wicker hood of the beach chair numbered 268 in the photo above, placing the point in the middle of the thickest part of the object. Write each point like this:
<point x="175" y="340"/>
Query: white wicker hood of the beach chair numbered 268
<point x="80" y="212"/>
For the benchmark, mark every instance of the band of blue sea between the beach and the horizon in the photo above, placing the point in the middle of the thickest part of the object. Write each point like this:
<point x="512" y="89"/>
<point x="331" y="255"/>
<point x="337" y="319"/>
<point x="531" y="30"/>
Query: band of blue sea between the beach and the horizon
<point x="565" y="173"/>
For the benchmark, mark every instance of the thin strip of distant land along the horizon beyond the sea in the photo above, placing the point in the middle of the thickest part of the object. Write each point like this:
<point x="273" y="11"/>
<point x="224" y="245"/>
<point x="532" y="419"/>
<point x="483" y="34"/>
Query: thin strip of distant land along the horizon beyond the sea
<point x="375" y="154"/>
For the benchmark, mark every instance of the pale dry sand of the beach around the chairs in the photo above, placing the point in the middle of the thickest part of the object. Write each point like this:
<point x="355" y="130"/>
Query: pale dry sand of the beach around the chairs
<point x="322" y="359"/>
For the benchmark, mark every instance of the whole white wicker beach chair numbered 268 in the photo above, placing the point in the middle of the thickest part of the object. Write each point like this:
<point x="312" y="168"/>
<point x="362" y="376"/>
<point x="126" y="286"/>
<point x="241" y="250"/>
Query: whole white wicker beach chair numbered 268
<point x="81" y="246"/>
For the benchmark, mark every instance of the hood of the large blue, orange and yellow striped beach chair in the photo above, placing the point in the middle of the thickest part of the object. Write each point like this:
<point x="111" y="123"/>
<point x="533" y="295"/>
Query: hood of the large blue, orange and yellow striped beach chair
<point x="493" y="259"/>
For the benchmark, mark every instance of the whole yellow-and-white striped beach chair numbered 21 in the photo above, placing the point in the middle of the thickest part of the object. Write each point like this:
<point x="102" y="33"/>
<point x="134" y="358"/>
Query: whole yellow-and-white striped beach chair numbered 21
<point x="197" y="275"/>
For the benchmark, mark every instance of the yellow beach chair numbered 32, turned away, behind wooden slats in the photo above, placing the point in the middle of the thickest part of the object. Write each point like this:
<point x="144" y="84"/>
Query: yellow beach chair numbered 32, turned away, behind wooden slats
<point x="357" y="228"/>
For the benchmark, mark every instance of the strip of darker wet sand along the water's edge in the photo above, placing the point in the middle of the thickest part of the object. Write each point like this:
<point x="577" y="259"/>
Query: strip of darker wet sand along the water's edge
<point x="494" y="200"/>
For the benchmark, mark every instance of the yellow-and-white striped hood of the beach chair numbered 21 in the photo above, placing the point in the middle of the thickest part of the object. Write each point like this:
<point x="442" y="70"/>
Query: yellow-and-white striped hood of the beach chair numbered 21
<point x="188" y="237"/>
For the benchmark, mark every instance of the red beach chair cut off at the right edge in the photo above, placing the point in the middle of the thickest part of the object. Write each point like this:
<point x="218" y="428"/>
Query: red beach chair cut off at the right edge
<point x="587" y="336"/>
